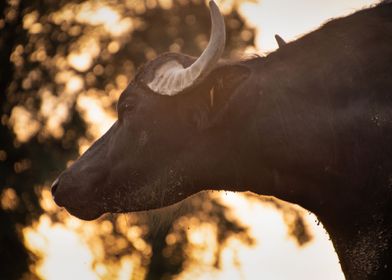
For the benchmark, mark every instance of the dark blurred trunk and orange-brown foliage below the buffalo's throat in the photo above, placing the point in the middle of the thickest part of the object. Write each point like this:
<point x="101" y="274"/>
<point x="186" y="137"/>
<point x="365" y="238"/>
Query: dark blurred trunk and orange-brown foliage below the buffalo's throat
<point x="169" y="242"/>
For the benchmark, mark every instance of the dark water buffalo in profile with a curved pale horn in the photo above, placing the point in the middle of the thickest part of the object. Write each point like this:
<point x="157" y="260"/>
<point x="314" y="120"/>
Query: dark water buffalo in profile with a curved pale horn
<point x="310" y="123"/>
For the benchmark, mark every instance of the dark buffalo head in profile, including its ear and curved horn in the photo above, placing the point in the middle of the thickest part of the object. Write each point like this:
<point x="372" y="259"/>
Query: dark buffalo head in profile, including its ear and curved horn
<point x="162" y="148"/>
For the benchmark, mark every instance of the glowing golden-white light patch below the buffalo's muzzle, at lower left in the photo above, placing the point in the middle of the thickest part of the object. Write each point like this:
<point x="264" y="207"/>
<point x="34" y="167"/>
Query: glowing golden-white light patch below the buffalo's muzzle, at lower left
<point x="73" y="248"/>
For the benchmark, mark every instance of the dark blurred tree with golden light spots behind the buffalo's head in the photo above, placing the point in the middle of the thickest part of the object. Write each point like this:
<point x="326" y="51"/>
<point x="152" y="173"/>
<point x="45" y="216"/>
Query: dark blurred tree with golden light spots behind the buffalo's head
<point x="54" y="55"/>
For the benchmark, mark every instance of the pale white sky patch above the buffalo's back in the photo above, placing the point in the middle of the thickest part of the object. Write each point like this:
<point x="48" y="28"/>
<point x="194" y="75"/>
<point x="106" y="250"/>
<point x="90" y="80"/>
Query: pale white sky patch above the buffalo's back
<point x="291" y="19"/>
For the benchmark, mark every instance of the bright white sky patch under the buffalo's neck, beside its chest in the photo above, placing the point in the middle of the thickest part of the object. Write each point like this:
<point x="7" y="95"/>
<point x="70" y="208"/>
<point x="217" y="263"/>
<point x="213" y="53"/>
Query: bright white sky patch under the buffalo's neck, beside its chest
<point x="273" y="242"/>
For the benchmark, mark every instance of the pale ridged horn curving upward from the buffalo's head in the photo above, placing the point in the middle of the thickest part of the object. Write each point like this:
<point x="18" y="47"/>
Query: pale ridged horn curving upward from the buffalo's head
<point x="171" y="78"/>
